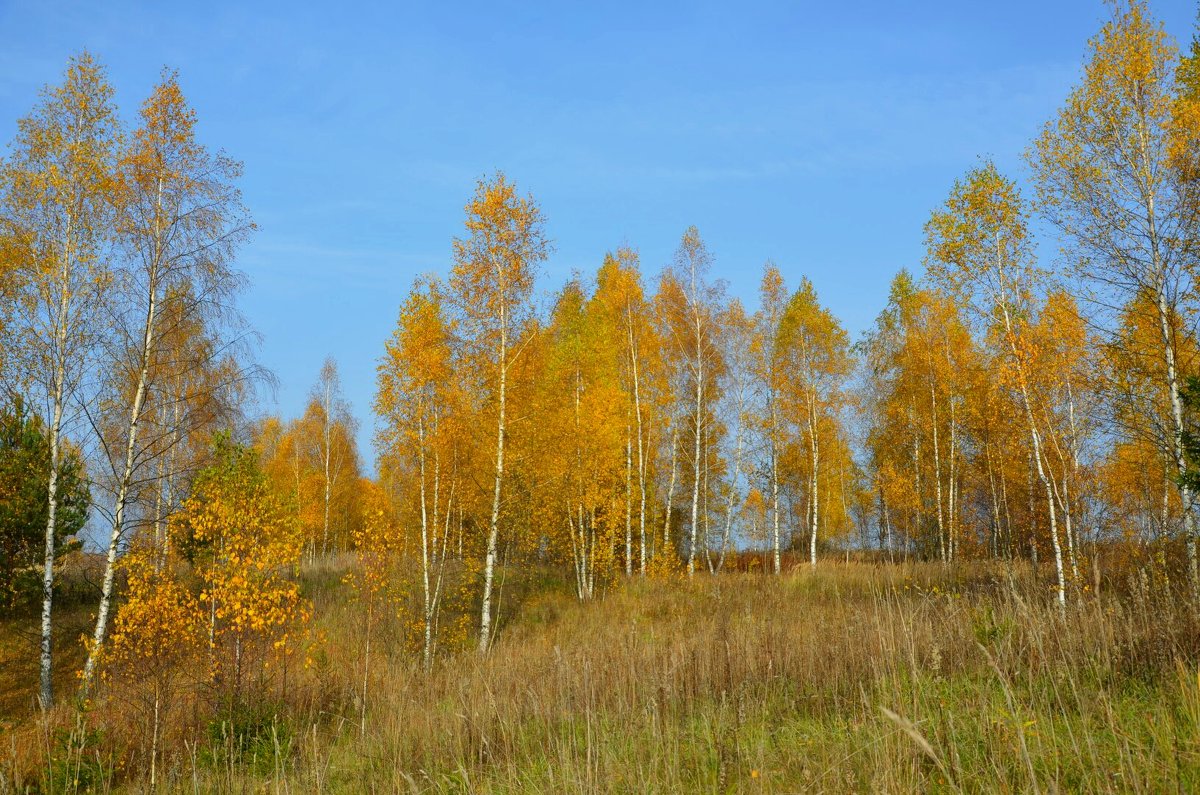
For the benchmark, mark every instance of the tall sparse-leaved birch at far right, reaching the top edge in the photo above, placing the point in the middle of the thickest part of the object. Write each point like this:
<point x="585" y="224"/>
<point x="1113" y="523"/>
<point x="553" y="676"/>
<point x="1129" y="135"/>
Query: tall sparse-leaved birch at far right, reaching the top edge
<point x="1115" y="174"/>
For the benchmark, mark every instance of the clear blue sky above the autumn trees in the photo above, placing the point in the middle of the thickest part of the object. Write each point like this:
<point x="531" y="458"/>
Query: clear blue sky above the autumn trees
<point x="813" y="134"/>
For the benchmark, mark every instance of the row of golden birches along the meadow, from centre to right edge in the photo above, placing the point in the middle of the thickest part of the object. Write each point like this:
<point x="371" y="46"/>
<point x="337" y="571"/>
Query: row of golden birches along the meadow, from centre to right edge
<point x="1006" y="404"/>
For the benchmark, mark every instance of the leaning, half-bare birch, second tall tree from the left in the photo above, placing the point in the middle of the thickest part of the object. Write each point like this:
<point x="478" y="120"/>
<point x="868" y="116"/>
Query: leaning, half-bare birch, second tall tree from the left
<point x="181" y="224"/>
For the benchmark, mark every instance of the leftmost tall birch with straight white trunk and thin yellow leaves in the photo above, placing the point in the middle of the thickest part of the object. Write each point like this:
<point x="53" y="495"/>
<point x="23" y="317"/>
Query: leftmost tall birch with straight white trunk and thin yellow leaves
<point x="58" y="192"/>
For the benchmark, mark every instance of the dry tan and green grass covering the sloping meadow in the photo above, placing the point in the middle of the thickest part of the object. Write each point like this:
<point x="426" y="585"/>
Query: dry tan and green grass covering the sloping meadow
<point x="855" y="679"/>
